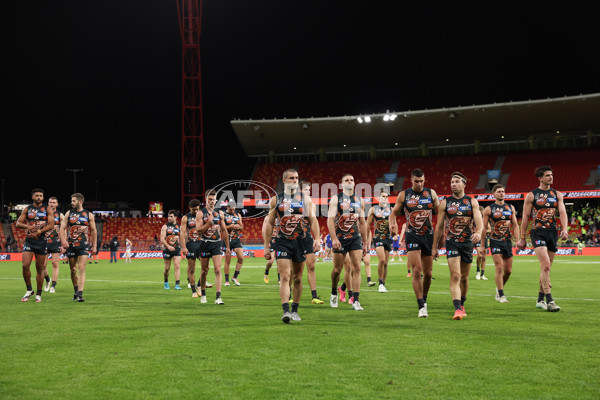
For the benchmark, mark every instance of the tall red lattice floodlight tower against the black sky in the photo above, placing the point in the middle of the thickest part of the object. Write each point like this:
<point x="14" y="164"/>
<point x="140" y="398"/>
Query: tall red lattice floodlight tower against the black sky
<point x="192" y="136"/>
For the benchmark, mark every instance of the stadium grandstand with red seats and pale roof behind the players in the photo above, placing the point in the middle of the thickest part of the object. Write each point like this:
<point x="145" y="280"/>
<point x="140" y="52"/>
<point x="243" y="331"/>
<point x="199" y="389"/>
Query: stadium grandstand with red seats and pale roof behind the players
<point x="491" y="143"/>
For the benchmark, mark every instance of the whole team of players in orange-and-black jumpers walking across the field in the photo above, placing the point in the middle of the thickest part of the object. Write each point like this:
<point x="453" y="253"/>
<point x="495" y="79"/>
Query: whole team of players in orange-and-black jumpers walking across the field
<point x="291" y="224"/>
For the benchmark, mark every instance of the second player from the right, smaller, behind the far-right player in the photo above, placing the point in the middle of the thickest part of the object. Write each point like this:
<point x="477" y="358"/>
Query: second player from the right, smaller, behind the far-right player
<point x="500" y="216"/>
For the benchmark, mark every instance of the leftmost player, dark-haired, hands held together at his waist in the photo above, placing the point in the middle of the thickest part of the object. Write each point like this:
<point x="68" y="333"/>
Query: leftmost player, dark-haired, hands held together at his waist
<point x="37" y="220"/>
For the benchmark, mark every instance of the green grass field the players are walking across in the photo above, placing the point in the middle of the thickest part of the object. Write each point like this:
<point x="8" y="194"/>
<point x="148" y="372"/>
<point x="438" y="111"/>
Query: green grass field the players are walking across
<point x="132" y="339"/>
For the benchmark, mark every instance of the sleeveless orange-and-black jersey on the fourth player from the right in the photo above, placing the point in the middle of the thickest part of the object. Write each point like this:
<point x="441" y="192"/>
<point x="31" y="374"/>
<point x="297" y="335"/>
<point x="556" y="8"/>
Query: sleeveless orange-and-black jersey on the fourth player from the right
<point x="418" y="208"/>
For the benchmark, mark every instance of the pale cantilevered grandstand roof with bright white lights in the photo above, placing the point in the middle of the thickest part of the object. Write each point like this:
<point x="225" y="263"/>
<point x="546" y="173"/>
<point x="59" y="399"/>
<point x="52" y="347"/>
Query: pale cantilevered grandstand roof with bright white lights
<point x="486" y="122"/>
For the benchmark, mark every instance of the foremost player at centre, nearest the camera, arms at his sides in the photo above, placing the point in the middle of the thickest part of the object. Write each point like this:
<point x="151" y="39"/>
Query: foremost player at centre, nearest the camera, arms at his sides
<point x="290" y="206"/>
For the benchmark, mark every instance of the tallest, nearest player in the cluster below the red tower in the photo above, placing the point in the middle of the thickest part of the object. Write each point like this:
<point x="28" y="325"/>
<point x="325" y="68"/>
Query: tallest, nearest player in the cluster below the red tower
<point x="213" y="233"/>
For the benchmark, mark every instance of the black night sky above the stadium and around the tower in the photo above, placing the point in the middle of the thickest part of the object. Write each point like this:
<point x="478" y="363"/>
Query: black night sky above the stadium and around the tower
<point x="97" y="85"/>
